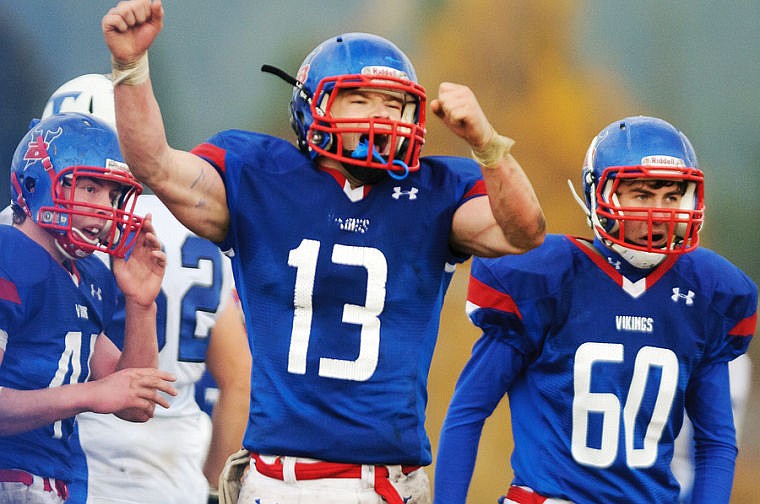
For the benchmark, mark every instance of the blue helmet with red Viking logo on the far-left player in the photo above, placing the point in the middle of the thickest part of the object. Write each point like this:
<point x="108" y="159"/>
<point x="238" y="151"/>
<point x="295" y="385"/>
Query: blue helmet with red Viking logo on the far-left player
<point x="50" y="159"/>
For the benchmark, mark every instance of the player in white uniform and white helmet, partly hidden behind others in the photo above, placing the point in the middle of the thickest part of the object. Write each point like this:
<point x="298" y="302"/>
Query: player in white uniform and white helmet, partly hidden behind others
<point x="141" y="463"/>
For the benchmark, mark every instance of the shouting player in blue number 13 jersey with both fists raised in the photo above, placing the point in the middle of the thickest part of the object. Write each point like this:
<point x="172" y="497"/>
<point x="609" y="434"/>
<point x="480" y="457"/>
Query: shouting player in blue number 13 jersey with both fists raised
<point x="342" y="250"/>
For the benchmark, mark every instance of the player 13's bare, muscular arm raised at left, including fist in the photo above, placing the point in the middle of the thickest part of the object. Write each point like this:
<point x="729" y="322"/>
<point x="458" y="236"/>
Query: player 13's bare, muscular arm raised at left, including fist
<point x="187" y="184"/>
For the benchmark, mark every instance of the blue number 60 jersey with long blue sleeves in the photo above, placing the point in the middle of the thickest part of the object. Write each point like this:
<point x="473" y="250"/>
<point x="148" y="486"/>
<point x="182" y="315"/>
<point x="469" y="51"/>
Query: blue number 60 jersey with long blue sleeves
<point x="598" y="367"/>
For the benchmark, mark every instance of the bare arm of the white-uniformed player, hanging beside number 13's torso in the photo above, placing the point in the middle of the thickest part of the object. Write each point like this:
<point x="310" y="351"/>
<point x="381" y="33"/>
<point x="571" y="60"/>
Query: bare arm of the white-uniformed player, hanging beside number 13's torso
<point x="229" y="362"/>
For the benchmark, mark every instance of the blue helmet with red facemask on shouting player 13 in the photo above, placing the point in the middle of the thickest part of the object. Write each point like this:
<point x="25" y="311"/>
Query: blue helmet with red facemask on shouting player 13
<point x="359" y="60"/>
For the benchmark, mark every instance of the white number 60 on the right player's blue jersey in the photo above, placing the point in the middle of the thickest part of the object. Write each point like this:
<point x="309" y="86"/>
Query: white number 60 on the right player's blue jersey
<point x="608" y="405"/>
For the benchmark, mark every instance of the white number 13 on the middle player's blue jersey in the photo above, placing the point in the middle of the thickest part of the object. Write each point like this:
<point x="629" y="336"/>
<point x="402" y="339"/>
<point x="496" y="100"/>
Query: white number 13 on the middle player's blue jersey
<point x="304" y="259"/>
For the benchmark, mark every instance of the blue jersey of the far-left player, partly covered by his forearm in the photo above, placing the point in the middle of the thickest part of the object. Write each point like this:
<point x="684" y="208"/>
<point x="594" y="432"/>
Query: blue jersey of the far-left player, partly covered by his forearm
<point x="51" y="320"/>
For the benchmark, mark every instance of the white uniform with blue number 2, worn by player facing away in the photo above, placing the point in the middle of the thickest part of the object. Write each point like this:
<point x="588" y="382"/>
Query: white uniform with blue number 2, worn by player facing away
<point x="161" y="461"/>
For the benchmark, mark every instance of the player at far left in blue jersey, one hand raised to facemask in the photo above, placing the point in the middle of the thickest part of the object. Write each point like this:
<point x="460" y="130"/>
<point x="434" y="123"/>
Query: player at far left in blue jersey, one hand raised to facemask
<point x="72" y="195"/>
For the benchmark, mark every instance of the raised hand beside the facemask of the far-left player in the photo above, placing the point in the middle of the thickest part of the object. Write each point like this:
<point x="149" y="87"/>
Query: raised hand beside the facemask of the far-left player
<point x="139" y="277"/>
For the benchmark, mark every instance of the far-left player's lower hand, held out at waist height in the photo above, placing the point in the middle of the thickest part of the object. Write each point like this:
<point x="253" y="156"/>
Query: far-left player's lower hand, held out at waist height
<point x="133" y="393"/>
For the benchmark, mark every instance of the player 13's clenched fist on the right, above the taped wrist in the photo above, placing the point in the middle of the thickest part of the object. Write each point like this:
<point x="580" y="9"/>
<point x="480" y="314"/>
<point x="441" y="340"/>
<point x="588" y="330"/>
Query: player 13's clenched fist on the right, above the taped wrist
<point x="460" y="111"/>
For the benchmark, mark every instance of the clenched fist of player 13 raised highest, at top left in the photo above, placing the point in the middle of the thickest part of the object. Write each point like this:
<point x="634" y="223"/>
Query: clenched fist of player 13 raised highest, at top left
<point x="130" y="28"/>
